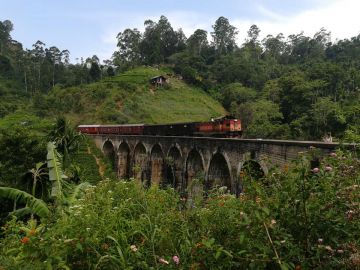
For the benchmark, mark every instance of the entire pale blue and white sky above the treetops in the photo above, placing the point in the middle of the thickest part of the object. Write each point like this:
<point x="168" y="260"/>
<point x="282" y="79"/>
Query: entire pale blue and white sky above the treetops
<point x="89" y="27"/>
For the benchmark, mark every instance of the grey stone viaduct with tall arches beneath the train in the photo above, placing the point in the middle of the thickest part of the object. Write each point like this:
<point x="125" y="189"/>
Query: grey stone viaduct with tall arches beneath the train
<point x="177" y="161"/>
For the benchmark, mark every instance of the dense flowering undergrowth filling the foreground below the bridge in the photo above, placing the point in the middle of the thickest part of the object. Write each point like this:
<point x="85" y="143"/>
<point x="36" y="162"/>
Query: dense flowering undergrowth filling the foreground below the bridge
<point x="293" y="218"/>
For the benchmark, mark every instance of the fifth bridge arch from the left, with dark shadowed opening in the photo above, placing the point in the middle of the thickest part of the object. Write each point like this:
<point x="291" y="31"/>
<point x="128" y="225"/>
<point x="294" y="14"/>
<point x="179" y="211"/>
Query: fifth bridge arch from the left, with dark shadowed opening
<point x="173" y="175"/>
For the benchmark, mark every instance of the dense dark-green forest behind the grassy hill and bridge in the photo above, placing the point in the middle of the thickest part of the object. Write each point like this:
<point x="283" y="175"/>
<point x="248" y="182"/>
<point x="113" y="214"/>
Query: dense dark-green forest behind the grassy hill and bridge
<point x="294" y="87"/>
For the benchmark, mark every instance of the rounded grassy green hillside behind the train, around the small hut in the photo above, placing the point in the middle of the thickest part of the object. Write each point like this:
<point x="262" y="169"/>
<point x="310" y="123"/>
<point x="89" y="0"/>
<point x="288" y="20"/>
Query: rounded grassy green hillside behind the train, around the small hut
<point x="129" y="98"/>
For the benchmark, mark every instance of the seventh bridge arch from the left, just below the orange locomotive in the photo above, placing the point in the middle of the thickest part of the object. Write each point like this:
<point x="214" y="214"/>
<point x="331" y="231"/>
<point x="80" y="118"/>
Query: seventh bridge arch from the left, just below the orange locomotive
<point x="219" y="171"/>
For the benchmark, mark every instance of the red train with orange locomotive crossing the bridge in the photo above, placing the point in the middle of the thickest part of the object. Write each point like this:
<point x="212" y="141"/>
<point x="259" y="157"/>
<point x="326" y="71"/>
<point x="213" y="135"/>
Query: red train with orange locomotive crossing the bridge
<point x="226" y="127"/>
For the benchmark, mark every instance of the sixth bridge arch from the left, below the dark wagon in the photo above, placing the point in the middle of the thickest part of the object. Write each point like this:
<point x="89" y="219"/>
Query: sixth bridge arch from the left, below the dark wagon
<point x="194" y="169"/>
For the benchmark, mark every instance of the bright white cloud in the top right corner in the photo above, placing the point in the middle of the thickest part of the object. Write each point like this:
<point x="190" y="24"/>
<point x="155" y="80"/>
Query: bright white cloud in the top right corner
<point x="337" y="16"/>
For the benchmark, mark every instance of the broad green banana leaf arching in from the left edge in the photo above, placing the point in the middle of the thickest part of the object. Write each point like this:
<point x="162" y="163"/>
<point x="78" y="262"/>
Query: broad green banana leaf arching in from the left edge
<point x="37" y="206"/>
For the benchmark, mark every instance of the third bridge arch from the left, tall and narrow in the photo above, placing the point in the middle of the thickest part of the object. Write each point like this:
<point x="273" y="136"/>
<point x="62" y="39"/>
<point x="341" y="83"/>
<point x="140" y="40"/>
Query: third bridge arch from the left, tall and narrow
<point x="140" y="163"/>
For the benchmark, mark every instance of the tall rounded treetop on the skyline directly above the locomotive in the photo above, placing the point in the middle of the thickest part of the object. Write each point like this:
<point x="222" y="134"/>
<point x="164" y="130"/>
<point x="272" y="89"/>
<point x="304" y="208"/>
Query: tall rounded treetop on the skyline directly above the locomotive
<point x="223" y="36"/>
